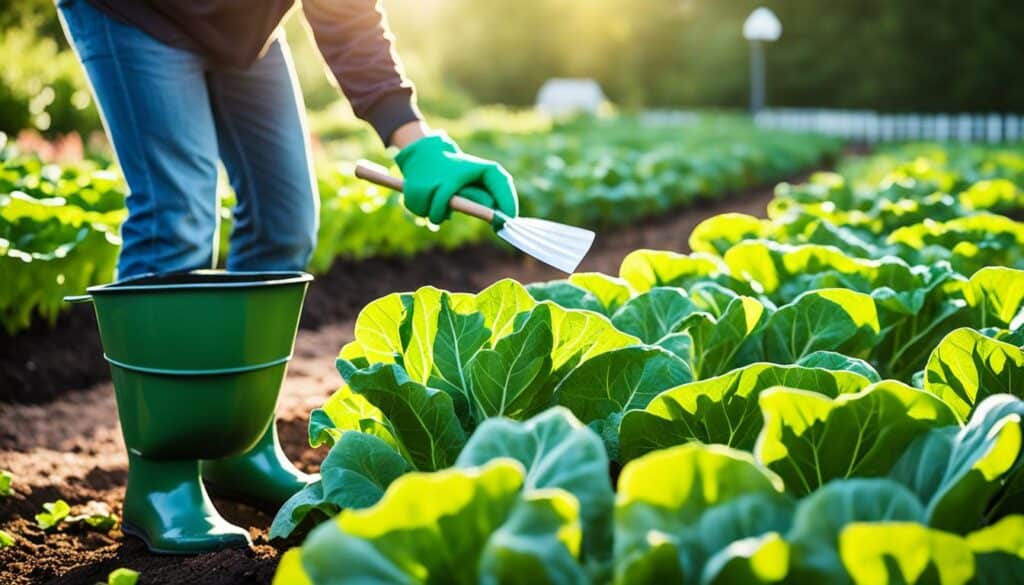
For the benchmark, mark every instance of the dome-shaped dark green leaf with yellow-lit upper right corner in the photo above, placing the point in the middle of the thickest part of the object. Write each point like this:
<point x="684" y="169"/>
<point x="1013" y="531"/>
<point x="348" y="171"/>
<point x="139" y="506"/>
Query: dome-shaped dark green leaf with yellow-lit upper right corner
<point x="835" y="320"/>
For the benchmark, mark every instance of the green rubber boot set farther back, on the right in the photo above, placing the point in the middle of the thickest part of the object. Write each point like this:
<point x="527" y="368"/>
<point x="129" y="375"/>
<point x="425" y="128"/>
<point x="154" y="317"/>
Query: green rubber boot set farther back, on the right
<point x="264" y="476"/>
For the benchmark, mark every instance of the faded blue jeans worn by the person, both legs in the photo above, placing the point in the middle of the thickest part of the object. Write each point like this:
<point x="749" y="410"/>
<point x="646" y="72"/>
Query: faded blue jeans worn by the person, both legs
<point x="172" y="116"/>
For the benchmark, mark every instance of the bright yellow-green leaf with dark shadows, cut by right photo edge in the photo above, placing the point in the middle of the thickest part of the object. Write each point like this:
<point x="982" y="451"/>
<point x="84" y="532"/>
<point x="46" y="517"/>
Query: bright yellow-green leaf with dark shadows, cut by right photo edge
<point x="966" y="367"/>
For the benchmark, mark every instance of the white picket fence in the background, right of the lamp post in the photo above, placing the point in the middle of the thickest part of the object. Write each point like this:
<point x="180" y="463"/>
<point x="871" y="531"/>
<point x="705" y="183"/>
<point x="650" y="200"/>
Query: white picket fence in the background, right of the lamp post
<point x="875" y="128"/>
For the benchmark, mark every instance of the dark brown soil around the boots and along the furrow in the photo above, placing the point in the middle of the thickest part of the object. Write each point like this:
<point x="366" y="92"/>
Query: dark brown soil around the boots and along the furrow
<point x="72" y="448"/>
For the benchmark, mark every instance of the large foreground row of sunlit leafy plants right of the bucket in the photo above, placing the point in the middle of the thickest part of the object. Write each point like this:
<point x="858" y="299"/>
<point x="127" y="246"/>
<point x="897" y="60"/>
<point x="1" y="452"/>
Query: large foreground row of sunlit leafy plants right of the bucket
<point x="772" y="408"/>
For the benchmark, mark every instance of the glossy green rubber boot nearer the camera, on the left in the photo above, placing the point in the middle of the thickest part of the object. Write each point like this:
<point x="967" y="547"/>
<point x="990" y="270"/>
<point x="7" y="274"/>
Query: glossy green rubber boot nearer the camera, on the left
<point x="167" y="508"/>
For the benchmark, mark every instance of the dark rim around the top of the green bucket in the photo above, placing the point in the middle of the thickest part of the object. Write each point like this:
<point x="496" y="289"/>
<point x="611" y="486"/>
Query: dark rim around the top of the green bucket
<point x="203" y="280"/>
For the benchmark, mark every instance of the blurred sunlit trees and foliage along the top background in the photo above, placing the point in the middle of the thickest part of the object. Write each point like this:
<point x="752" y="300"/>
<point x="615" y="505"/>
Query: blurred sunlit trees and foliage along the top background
<point x="884" y="55"/>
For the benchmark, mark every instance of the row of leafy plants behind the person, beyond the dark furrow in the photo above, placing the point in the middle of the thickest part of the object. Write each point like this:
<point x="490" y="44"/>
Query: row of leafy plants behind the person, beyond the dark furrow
<point x="59" y="224"/>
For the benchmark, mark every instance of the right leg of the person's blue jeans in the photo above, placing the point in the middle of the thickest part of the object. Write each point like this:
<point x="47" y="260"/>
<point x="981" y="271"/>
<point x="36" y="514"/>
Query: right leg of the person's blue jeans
<point x="266" y="149"/>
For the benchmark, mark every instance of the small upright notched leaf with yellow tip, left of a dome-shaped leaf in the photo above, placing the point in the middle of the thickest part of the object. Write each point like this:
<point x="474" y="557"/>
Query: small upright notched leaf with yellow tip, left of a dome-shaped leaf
<point x="717" y="342"/>
